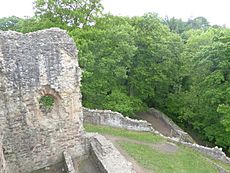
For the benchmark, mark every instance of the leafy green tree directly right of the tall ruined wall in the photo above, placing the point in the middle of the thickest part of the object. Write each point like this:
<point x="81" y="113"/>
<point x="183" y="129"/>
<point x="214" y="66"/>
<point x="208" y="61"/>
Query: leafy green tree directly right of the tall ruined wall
<point x="106" y="52"/>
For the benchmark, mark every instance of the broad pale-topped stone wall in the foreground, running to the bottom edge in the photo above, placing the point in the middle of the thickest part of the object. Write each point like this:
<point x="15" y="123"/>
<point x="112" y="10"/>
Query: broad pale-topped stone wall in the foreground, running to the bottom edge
<point x="107" y="157"/>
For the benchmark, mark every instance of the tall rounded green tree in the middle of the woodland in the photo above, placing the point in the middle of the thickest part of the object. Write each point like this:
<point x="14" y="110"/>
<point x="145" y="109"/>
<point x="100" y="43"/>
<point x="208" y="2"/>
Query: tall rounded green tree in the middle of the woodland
<point x="154" y="69"/>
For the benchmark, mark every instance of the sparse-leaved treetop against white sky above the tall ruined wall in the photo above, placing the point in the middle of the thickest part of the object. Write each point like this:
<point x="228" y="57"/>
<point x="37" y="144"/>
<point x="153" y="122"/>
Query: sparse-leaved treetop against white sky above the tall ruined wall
<point x="78" y="13"/>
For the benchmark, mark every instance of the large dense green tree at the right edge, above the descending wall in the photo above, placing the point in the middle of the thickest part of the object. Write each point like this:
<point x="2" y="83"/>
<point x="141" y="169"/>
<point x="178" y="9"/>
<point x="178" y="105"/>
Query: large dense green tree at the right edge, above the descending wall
<point x="203" y="105"/>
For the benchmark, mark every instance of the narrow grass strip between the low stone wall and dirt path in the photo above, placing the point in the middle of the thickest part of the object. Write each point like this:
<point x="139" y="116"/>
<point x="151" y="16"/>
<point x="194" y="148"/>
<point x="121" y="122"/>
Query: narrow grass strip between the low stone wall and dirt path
<point x="139" y="136"/>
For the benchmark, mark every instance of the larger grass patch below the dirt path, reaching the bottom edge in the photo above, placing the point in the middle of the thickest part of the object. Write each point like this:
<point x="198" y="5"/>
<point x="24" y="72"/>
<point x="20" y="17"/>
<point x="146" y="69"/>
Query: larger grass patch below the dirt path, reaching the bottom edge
<point x="183" y="161"/>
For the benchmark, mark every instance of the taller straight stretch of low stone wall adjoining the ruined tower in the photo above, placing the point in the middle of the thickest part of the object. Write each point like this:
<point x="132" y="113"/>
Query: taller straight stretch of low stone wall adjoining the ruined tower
<point x="114" y="119"/>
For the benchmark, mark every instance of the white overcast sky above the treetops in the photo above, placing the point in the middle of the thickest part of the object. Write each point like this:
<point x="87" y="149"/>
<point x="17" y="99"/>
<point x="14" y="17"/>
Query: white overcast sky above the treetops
<point x="216" y="11"/>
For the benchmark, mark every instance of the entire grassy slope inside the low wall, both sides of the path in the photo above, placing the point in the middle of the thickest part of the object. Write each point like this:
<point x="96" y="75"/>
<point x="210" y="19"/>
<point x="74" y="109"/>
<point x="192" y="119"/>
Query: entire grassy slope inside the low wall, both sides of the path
<point x="185" y="160"/>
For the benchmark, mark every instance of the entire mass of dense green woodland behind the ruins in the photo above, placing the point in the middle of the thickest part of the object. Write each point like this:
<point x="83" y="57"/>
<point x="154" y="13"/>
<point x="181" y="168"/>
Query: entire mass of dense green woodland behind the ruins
<point x="129" y="64"/>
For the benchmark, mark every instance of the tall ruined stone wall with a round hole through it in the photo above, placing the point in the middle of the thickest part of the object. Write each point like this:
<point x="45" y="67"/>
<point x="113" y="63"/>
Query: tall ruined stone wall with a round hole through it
<point x="31" y="66"/>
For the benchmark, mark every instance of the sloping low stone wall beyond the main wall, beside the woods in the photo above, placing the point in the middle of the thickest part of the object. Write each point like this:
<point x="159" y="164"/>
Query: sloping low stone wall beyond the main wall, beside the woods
<point x="176" y="131"/>
